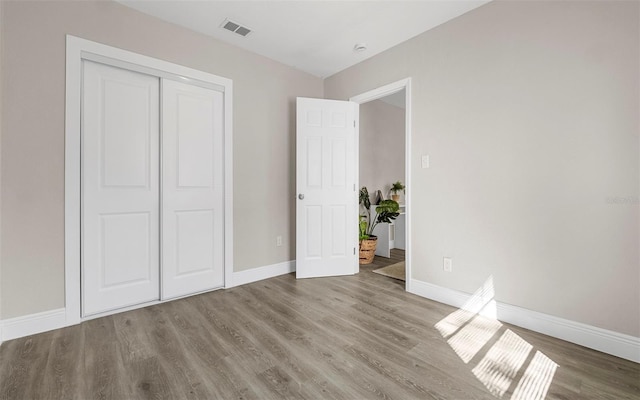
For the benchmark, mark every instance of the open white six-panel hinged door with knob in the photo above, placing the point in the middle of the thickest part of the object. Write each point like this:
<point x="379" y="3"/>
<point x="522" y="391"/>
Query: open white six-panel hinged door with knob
<point x="327" y="202"/>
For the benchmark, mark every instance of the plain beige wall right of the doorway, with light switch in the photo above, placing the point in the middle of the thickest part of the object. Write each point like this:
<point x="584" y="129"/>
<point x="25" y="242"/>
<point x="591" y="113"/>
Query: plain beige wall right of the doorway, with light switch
<point x="529" y="112"/>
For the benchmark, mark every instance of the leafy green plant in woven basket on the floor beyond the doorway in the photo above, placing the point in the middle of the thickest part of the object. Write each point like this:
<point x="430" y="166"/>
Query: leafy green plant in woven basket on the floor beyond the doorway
<point x="386" y="211"/>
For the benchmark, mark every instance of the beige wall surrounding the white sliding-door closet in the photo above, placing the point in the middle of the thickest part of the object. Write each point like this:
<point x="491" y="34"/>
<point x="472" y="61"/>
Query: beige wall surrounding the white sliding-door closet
<point x="32" y="124"/>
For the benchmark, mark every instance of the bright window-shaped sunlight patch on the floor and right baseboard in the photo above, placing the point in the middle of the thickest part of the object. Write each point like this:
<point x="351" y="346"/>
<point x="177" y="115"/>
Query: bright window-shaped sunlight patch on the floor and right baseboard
<point x="497" y="356"/>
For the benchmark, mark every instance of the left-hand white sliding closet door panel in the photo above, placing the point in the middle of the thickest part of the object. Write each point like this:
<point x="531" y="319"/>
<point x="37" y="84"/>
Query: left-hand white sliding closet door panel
<point x="120" y="188"/>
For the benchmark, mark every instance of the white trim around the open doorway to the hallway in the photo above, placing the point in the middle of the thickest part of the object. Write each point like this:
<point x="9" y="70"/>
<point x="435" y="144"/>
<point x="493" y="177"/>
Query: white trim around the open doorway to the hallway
<point x="377" y="94"/>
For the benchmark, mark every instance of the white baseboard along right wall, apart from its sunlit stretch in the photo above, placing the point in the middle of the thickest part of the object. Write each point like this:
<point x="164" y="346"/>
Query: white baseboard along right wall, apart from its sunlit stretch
<point x="610" y="342"/>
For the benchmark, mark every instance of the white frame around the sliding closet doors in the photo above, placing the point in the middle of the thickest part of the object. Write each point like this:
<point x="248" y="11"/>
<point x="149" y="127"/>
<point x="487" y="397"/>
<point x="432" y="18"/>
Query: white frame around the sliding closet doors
<point x="78" y="50"/>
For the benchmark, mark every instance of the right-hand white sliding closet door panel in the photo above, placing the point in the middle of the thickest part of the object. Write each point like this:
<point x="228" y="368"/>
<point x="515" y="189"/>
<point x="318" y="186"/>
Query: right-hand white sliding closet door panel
<point x="192" y="189"/>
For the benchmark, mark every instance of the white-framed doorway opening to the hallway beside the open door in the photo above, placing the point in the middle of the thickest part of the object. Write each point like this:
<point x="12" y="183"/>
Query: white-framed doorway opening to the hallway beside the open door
<point x="384" y="156"/>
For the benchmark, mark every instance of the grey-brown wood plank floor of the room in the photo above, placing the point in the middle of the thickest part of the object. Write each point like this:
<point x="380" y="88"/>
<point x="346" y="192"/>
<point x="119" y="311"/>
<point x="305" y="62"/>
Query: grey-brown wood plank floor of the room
<point x="358" y="337"/>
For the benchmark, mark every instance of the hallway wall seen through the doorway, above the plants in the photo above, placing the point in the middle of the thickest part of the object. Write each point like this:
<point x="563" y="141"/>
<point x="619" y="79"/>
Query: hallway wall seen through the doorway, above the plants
<point x="381" y="146"/>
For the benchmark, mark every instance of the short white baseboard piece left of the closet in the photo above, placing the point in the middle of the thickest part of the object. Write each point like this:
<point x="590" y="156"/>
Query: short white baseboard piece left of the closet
<point x="32" y="324"/>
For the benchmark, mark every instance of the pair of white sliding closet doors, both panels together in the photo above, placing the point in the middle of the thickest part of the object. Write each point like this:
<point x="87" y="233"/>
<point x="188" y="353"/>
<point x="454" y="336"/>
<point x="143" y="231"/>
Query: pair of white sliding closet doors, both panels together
<point x="152" y="187"/>
